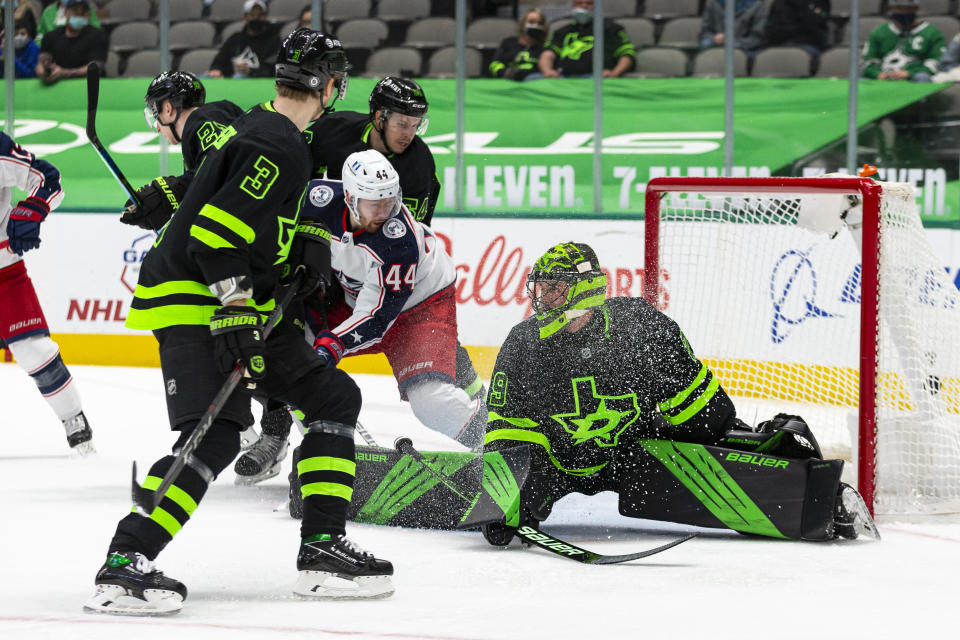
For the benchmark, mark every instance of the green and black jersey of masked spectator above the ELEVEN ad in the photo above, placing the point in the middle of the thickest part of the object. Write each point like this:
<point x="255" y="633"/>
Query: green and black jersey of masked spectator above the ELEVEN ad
<point x="573" y="45"/>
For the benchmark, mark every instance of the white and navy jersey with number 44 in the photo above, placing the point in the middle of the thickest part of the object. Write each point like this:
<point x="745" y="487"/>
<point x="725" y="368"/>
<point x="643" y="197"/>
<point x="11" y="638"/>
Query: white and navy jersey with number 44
<point x="383" y="273"/>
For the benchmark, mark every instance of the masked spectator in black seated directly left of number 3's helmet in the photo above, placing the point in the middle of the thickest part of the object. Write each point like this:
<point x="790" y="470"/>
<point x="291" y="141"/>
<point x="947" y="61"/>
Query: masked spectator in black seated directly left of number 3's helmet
<point x="252" y="51"/>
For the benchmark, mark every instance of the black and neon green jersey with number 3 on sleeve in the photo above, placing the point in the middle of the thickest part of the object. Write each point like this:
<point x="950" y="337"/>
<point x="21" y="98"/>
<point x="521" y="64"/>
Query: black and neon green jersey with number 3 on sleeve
<point x="237" y="219"/>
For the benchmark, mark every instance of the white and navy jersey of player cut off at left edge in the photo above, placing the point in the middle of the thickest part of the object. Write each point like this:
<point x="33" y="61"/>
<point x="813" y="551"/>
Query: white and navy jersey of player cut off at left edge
<point x="38" y="178"/>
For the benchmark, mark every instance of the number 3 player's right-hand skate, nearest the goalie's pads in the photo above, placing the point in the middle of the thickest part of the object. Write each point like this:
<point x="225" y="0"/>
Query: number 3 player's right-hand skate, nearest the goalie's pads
<point x="335" y="567"/>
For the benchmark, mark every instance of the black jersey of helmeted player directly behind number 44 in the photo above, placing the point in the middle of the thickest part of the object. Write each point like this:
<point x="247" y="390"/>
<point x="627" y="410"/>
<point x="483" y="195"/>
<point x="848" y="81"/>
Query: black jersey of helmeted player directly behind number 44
<point x="336" y="135"/>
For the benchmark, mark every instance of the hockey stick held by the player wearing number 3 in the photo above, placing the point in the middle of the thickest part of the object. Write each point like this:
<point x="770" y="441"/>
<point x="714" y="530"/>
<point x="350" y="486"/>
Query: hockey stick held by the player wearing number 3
<point x="146" y="500"/>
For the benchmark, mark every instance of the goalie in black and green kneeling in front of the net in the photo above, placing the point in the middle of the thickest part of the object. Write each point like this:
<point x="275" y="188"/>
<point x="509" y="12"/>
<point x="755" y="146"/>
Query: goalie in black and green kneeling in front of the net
<point x="609" y="396"/>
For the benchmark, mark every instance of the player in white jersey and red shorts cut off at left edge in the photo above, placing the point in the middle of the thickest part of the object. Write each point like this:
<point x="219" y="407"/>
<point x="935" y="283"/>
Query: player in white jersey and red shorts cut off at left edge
<point x="22" y="323"/>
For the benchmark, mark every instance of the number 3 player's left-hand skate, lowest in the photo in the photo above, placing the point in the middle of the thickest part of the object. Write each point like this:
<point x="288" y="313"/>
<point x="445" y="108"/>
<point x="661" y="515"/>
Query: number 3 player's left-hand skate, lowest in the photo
<point x="128" y="584"/>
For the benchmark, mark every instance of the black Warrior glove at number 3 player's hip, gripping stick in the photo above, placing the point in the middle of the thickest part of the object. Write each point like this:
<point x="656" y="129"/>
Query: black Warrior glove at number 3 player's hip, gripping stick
<point x="238" y="335"/>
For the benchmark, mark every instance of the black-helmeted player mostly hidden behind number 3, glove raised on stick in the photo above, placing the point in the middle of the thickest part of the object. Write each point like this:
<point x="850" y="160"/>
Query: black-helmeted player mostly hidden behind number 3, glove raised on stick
<point x="176" y="107"/>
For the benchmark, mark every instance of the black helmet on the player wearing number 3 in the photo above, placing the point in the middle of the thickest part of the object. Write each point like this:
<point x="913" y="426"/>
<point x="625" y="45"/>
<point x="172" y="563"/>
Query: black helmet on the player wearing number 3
<point x="308" y="58"/>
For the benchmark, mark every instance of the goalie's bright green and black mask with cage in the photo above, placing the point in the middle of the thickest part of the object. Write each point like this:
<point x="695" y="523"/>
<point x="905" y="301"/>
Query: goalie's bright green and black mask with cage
<point x="564" y="284"/>
